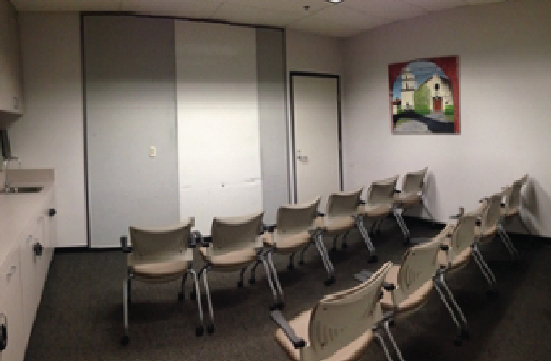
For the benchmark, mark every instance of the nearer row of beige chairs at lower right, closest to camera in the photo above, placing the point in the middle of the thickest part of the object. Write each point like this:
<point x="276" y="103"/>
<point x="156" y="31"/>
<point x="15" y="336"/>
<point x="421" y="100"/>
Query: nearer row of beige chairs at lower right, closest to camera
<point x="342" y="325"/>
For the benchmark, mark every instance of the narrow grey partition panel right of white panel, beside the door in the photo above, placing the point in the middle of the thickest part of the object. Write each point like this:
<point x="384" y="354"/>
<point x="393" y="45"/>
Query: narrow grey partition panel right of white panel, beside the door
<point x="270" y="57"/>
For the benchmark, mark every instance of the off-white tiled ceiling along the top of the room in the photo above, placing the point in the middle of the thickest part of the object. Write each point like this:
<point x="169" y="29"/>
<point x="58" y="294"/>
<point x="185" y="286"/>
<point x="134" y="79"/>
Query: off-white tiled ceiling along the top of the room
<point x="349" y="18"/>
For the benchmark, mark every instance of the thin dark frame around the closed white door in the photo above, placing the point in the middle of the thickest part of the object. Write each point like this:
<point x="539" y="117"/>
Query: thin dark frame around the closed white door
<point x="292" y="75"/>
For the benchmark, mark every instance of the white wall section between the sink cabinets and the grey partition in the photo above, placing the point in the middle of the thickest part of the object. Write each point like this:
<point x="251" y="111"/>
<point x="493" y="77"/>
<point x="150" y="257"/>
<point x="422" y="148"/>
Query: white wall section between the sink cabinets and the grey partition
<point x="50" y="133"/>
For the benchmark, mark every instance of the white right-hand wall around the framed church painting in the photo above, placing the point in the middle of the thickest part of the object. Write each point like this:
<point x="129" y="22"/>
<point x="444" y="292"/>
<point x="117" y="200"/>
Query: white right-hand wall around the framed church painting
<point x="505" y="57"/>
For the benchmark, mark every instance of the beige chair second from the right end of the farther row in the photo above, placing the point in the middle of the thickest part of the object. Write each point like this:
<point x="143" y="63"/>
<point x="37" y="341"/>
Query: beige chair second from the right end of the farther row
<point x="380" y="202"/>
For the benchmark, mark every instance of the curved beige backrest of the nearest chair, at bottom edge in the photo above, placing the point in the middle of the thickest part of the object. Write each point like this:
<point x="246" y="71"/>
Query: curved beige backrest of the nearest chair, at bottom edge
<point x="338" y="320"/>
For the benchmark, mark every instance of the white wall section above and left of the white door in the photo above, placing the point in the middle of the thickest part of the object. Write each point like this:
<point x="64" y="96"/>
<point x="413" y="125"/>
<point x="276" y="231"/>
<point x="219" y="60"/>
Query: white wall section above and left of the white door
<point x="310" y="53"/>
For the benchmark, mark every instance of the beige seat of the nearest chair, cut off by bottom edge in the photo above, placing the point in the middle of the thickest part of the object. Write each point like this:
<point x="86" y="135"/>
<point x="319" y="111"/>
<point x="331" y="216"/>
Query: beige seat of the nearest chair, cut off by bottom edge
<point x="353" y="352"/>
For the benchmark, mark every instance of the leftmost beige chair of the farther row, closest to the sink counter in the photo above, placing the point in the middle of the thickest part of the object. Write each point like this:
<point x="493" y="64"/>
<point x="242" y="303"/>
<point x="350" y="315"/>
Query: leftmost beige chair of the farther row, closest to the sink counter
<point x="160" y="255"/>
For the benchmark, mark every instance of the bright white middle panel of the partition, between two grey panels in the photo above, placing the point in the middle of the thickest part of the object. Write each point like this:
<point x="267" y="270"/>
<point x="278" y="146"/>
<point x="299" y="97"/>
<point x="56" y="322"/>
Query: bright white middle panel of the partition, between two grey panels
<point x="218" y="121"/>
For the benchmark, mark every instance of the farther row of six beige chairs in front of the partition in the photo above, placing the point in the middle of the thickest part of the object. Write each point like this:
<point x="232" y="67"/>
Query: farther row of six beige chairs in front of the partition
<point x="158" y="255"/>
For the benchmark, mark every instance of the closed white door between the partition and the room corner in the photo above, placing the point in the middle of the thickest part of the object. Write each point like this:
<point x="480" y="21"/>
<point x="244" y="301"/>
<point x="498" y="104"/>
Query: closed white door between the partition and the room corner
<point x="315" y="102"/>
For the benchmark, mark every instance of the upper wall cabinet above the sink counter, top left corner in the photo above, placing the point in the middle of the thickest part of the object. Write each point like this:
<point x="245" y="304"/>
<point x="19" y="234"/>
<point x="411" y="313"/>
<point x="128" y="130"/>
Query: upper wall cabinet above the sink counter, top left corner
<point x="10" y="60"/>
